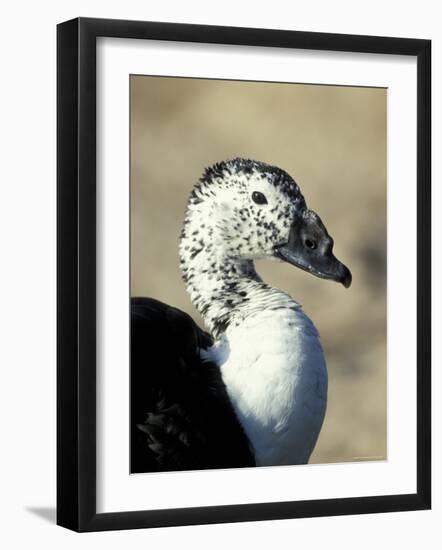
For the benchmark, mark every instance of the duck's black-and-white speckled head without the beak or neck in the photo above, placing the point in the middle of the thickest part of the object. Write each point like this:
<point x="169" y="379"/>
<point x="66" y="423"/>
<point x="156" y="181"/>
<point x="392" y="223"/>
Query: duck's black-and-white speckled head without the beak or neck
<point x="245" y="207"/>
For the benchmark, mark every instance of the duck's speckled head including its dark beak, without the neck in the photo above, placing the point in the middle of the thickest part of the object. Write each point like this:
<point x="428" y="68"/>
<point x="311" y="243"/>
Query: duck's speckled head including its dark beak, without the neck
<point x="250" y="210"/>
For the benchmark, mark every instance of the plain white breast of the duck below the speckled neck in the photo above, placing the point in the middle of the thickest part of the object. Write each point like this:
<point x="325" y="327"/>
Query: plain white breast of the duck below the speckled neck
<point x="274" y="370"/>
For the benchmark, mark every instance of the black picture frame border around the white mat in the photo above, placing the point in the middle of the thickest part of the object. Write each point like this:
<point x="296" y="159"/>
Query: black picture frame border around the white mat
<point x="76" y="273"/>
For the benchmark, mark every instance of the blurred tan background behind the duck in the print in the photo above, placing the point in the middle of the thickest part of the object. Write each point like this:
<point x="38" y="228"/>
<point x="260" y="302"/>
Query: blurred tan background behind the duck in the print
<point x="332" y="141"/>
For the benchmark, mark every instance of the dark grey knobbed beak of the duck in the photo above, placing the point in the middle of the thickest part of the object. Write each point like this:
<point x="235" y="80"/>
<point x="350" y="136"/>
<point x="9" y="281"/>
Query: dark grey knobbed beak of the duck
<point x="310" y="248"/>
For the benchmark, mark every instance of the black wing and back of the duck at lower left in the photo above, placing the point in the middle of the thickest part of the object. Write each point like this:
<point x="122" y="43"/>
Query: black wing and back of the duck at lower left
<point x="181" y="415"/>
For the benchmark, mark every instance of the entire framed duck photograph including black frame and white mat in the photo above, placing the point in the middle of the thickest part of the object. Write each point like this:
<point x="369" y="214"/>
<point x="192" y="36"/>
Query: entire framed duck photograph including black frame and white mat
<point x="243" y="274"/>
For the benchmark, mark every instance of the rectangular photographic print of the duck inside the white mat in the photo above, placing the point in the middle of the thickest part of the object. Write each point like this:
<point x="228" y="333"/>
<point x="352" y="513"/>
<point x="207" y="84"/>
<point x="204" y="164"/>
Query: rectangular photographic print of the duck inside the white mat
<point x="258" y="274"/>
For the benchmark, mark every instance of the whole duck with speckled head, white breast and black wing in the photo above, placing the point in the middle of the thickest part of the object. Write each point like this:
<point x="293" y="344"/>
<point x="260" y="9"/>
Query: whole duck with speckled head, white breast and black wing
<point x="250" y="389"/>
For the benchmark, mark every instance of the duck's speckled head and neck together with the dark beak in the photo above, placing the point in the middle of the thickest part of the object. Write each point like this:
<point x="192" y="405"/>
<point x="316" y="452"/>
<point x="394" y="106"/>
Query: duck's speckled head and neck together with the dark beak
<point x="239" y="211"/>
